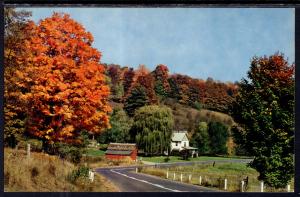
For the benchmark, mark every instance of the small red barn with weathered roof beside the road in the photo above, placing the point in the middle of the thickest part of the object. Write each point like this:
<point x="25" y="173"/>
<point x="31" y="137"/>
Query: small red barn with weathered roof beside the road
<point x="121" y="151"/>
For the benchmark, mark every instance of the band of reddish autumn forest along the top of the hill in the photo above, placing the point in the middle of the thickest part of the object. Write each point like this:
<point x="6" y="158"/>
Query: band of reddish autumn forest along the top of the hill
<point x="155" y="86"/>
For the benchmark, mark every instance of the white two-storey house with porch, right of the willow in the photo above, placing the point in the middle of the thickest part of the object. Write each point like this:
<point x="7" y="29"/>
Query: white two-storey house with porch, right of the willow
<point x="180" y="141"/>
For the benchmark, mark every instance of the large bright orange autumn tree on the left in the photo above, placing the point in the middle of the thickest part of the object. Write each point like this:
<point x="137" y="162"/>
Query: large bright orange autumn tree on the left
<point x="66" y="83"/>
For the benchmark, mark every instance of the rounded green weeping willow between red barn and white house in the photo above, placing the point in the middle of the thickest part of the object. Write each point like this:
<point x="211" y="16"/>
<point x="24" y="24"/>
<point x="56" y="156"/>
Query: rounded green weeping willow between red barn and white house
<point x="152" y="128"/>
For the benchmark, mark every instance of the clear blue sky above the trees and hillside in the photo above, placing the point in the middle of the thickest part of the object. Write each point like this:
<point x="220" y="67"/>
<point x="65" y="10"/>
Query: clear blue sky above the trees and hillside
<point x="199" y="42"/>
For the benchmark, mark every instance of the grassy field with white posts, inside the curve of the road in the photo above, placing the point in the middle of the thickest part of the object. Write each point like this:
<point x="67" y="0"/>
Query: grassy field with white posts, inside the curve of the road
<point x="214" y="176"/>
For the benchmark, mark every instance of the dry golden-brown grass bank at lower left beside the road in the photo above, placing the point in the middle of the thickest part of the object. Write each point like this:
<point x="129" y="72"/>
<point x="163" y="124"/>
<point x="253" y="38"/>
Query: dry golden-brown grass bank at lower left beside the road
<point x="45" y="173"/>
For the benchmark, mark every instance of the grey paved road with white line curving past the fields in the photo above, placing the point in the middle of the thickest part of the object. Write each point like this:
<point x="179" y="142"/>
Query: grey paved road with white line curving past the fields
<point x="127" y="180"/>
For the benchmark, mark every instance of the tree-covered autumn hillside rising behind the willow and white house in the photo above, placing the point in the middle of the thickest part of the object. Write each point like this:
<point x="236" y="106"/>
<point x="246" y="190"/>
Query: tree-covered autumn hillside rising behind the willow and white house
<point x="191" y="101"/>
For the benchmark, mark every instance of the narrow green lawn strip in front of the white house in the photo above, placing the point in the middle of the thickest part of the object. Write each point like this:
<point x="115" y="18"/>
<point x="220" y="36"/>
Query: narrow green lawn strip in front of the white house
<point x="161" y="159"/>
